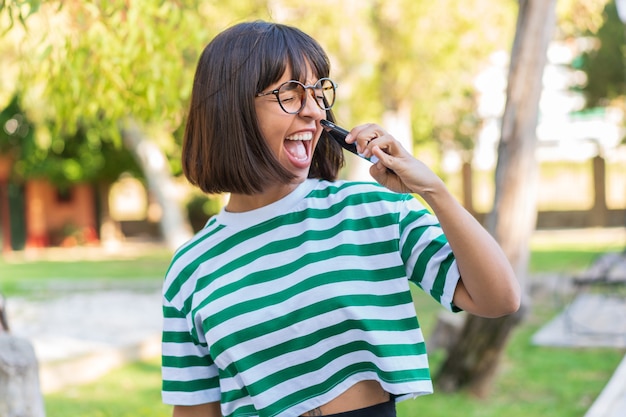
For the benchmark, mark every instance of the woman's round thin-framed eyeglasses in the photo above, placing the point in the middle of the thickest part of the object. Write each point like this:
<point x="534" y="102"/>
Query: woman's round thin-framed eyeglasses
<point x="292" y="95"/>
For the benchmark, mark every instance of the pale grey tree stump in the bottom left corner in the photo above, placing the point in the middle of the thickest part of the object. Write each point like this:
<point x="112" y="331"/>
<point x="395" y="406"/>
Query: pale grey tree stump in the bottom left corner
<point x="20" y="395"/>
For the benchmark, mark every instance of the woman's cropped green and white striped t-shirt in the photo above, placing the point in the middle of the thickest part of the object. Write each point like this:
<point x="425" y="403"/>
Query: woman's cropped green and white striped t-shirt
<point x="276" y="311"/>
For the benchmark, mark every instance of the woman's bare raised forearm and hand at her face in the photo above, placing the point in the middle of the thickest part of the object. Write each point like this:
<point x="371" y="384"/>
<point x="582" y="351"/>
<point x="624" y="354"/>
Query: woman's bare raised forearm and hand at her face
<point x="488" y="285"/>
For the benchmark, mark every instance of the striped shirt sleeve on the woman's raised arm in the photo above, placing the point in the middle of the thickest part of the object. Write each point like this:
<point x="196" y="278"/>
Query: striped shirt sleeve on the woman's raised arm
<point x="426" y="253"/>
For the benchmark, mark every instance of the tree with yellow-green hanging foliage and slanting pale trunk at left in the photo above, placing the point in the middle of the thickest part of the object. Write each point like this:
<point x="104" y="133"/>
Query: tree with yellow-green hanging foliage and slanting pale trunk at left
<point x="88" y="70"/>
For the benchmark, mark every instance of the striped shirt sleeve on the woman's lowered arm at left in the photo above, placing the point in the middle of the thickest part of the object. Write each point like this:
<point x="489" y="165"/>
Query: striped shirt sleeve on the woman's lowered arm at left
<point x="190" y="377"/>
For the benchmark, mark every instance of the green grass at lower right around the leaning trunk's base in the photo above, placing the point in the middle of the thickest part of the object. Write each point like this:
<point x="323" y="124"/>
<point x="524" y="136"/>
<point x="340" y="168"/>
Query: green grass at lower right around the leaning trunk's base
<point x="531" y="381"/>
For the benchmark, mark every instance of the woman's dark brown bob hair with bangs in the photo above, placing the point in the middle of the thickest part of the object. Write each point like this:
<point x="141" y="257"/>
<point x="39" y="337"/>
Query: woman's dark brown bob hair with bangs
<point x="223" y="148"/>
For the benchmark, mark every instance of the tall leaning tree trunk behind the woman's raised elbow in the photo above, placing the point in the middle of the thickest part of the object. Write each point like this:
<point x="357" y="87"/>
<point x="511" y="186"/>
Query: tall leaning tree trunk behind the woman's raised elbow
<point x="472" y="363"/>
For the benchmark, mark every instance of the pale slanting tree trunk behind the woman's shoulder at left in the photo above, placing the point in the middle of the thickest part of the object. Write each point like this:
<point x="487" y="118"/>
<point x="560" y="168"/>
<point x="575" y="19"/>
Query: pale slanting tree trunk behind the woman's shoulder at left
<point x="174" y="224"/>
